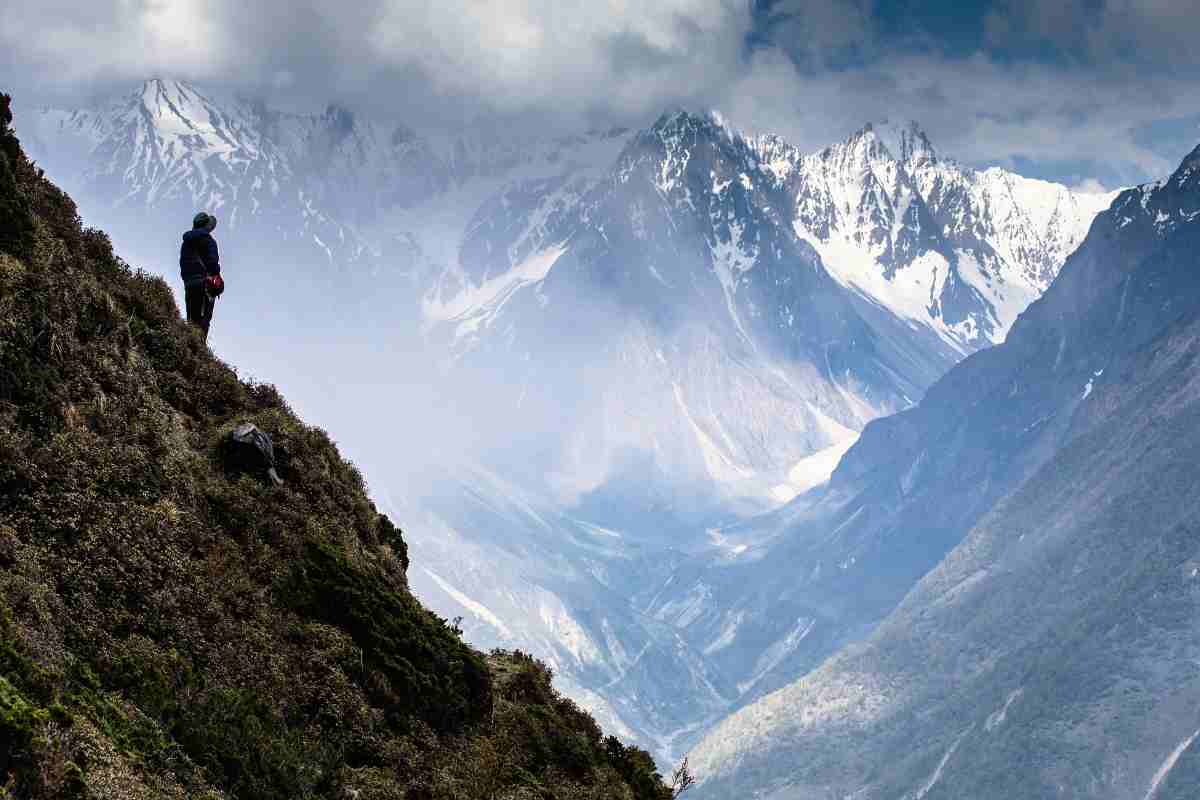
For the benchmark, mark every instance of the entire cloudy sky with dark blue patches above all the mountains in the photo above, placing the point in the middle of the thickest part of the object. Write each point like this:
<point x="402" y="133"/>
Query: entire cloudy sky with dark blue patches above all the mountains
<point x="1087" y="92"/>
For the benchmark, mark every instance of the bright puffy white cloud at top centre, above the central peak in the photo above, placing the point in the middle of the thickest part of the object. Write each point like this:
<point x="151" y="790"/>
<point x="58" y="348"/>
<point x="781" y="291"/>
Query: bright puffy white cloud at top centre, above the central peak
<point x="549" y="53"/>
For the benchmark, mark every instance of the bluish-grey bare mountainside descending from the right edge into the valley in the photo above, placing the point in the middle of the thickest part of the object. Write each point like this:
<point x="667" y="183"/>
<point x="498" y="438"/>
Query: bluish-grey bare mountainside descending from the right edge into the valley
<point x="1053" y="651"/>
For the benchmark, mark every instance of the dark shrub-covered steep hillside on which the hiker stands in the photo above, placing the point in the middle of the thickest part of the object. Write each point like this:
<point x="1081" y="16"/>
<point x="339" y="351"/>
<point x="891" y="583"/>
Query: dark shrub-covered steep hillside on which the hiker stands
<point x="175" y="627"/>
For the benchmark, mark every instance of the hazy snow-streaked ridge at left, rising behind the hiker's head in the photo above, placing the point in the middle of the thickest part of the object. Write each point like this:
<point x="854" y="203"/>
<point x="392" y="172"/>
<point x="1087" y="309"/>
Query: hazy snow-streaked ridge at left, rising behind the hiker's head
<point x="341" y="188"/>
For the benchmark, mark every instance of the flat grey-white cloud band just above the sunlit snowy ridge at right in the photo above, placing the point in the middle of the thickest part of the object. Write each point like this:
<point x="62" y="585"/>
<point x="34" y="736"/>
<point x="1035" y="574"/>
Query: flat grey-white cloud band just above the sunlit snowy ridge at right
<point x="976" y="110"/>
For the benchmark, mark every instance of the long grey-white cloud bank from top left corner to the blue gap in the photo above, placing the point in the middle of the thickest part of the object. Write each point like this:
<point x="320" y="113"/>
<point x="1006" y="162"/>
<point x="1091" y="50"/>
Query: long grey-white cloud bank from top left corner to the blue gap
<point x="521" y="55"/>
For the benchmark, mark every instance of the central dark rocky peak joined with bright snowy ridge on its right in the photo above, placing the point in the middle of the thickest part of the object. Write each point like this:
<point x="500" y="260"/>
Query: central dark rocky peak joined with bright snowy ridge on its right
<point x="764" y="304"/>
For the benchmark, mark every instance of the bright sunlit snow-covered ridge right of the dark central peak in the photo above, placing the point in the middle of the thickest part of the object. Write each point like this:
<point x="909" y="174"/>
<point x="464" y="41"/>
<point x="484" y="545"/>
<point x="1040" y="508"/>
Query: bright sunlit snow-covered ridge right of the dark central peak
<point x="951" y="248"/>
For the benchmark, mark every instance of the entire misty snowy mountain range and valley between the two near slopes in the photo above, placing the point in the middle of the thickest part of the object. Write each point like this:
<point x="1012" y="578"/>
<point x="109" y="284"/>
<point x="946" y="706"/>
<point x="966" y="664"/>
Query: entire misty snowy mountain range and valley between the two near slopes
<point x="608" y="359"/>
